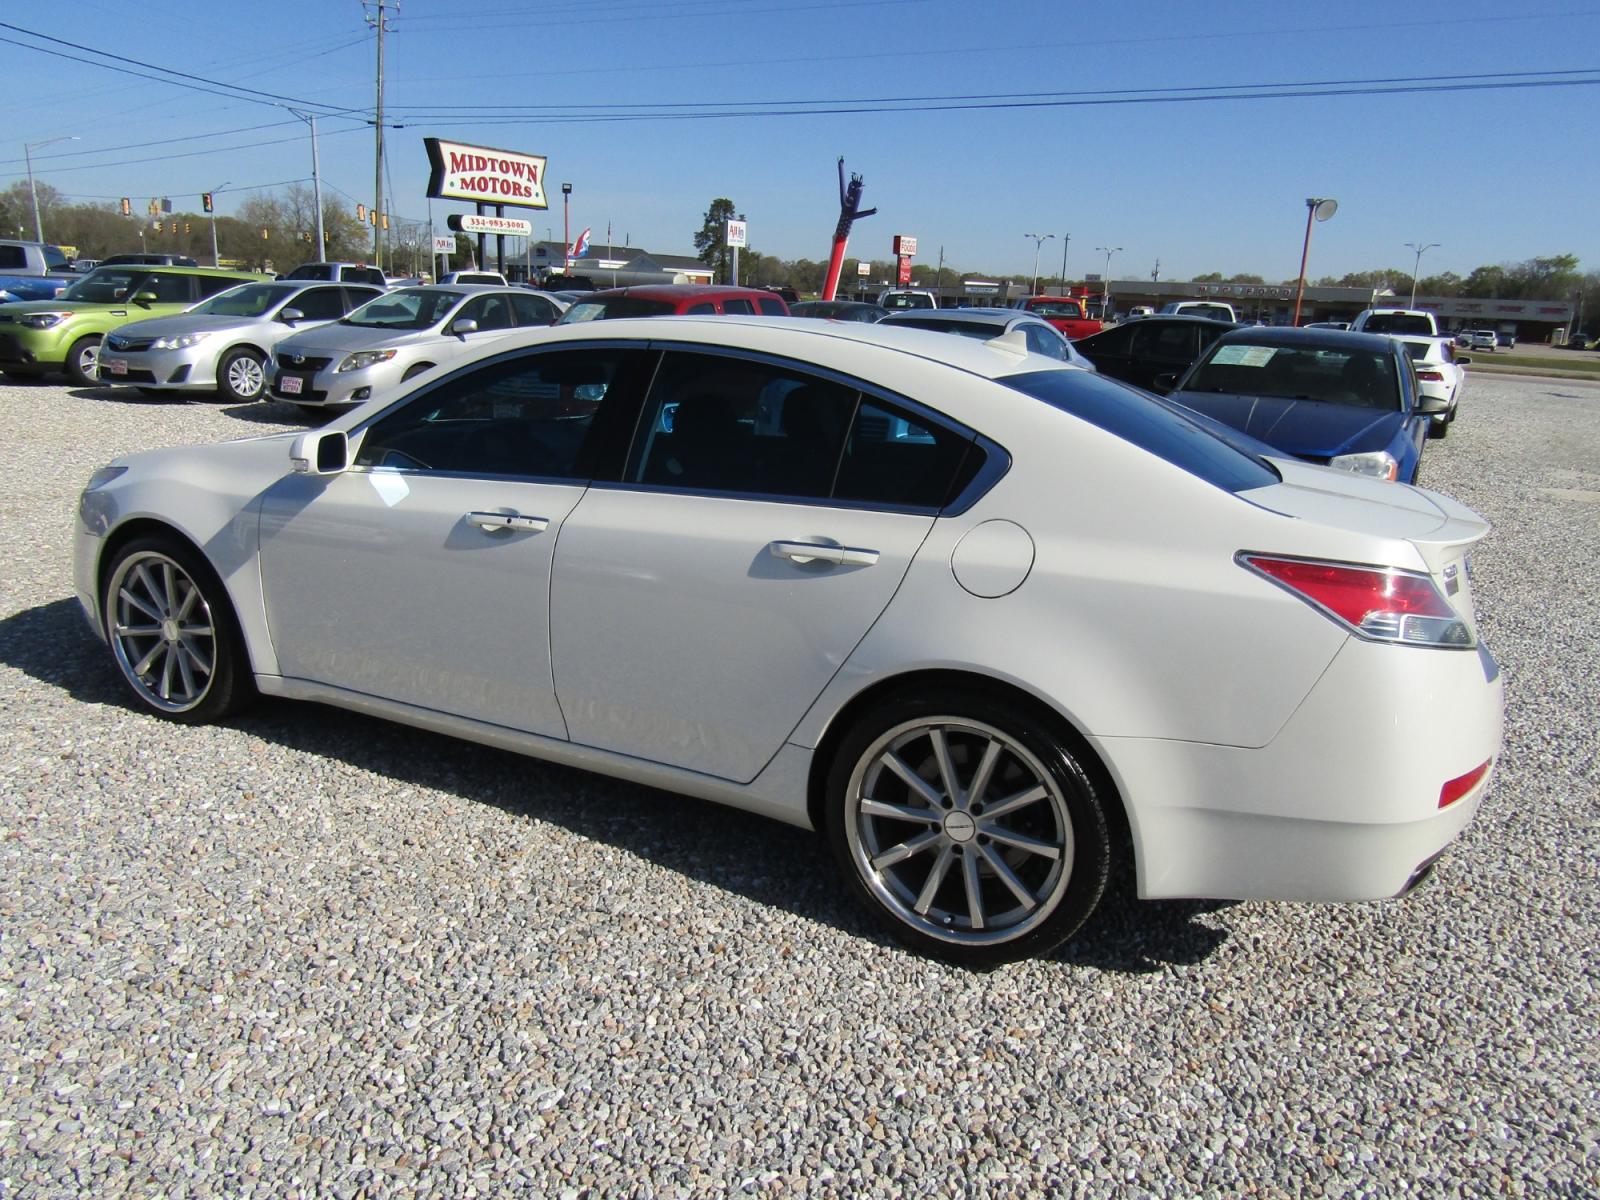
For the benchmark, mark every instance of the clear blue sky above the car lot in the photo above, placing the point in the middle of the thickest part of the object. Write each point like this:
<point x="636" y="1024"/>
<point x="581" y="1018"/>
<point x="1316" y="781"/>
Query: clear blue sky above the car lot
<point x="1201" y="186"/>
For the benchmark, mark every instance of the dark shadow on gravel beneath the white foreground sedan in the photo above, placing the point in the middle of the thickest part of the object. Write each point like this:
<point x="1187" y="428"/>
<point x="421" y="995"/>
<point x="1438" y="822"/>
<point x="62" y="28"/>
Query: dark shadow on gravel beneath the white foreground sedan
<point x="764" y="862"/>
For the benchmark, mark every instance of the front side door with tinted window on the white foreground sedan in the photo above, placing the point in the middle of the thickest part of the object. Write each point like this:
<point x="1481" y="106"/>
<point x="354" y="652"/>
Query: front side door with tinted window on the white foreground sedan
<point x="423" y="574"/>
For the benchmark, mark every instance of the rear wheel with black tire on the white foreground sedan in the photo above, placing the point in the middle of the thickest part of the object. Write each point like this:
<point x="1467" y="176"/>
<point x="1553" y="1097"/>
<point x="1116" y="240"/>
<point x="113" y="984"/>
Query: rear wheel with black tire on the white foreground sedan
<point x="1070" y="815"/>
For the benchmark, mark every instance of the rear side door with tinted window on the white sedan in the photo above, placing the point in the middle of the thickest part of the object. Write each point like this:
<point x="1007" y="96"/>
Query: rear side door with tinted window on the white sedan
<point x="764" y="521"/>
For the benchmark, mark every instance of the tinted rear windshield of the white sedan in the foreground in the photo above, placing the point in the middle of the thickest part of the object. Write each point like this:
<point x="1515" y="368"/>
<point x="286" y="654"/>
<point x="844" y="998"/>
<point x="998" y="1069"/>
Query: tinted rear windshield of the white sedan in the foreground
<point x="1230" y="463"/>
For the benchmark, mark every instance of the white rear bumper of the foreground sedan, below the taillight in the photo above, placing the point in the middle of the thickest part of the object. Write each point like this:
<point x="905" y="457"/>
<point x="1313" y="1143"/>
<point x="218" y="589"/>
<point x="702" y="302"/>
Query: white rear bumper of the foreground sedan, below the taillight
<point x="1343" y="806"/>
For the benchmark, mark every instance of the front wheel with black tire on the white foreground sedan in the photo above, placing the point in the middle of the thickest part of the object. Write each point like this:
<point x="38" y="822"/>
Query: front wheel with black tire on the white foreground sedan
<point x="190" y="676"/>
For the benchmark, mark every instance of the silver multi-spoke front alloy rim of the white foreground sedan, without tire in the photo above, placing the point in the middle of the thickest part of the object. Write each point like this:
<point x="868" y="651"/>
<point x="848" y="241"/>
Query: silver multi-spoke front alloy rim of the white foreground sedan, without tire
<point x="161" y="631"/>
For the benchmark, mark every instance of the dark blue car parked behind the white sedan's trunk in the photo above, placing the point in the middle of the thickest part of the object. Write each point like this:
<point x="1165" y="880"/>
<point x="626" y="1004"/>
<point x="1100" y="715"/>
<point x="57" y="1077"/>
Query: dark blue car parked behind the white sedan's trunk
<point x="1346" y="401"/>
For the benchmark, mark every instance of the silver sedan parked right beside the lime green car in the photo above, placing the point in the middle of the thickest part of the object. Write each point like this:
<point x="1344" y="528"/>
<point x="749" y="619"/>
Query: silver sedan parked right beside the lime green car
<point x="223" y="345"/>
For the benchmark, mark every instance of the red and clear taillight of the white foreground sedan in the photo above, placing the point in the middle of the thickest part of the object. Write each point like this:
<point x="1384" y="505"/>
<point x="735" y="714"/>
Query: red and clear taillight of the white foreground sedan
<point x="1383" y="604"/>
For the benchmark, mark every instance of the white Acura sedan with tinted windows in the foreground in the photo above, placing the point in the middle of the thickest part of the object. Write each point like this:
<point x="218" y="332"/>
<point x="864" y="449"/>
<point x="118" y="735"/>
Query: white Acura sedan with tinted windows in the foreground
<point x="986" y="622"/>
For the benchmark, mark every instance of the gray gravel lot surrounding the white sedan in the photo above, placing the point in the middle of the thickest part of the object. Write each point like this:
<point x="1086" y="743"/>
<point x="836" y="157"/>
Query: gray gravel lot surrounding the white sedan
<point x="313" y="954"/>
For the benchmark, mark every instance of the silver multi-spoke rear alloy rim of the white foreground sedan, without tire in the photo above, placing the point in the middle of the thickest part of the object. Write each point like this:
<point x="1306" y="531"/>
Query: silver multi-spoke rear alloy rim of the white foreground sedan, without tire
<point x="959" y="830"/>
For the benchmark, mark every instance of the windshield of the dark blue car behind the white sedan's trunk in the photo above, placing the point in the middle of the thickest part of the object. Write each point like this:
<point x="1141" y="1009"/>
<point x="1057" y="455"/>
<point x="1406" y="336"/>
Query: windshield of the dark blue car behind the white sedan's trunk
<point x="1338" y="377"/>
